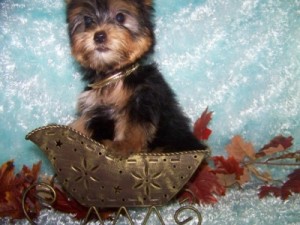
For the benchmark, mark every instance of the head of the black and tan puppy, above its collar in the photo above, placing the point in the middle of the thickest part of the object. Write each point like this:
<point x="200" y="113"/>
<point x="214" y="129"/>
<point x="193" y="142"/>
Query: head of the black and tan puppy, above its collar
<point x="107" y="35"/>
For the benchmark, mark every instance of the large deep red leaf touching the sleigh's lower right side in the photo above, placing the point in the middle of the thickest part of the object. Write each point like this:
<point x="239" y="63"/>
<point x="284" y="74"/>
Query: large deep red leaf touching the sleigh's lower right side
<point x="204" y="186"/>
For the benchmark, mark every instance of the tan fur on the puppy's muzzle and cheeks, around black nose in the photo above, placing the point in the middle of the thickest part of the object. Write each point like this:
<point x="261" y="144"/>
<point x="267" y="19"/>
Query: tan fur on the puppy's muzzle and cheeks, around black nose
<point x="123" y="49"/>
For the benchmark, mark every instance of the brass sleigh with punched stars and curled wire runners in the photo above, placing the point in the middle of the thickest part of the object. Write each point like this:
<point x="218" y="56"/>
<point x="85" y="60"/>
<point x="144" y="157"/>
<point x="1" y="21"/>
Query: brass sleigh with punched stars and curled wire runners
<point x="97" y="180"/>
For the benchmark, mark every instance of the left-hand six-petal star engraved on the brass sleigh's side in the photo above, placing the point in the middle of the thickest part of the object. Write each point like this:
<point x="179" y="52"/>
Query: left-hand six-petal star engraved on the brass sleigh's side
<point x="84" y="173"/>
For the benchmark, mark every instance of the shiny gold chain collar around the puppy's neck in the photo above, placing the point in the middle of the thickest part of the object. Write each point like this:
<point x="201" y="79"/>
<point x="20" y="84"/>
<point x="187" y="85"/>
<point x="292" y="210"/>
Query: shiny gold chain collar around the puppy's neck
<point x="114" y="78"/>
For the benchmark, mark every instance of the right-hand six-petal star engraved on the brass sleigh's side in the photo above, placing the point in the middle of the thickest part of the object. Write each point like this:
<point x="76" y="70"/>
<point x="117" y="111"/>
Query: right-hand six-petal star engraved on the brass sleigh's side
<point x="146" y="180"/>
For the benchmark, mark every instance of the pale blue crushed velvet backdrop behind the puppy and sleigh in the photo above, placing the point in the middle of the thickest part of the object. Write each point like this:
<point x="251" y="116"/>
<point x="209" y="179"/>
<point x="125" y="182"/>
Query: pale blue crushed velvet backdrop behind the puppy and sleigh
<point x="239" y="57"/>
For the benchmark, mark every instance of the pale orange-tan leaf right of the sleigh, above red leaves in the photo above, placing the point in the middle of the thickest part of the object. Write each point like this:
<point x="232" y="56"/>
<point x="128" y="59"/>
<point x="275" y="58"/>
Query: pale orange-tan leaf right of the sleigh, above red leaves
<point x="239" y="149"/>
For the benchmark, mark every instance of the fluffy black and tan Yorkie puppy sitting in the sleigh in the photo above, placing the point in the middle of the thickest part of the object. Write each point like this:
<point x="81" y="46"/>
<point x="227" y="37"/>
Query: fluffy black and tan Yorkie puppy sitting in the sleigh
<point x="127" y="105"/>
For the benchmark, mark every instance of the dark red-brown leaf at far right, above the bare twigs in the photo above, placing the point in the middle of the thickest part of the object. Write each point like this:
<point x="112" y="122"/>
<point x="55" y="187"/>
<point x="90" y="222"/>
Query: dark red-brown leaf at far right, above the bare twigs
<point x="277" y="144"/>
